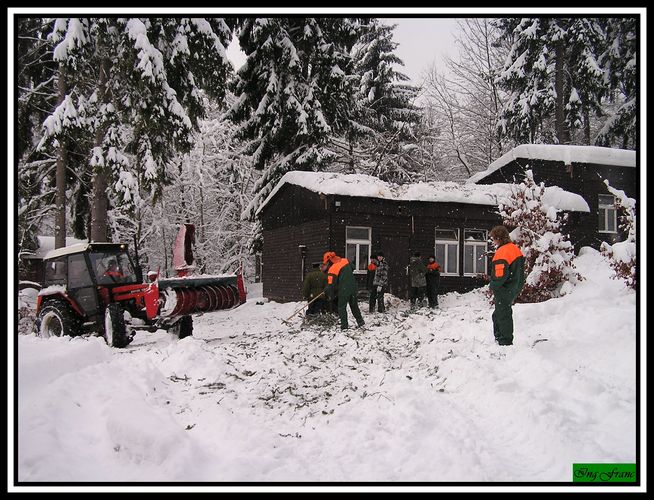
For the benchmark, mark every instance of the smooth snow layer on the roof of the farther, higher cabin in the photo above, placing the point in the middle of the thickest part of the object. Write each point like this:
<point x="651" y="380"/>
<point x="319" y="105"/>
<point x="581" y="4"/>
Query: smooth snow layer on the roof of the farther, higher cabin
<point x="563" y="153"/>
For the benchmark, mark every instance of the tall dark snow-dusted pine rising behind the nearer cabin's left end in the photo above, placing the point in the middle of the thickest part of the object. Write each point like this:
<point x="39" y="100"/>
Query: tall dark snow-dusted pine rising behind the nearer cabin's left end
<point x="292" y="93"/>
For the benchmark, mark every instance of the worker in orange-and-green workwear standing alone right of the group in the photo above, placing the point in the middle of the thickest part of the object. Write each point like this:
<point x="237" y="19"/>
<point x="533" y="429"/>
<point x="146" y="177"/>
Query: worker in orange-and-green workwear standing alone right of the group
<point x="507" y="280"/>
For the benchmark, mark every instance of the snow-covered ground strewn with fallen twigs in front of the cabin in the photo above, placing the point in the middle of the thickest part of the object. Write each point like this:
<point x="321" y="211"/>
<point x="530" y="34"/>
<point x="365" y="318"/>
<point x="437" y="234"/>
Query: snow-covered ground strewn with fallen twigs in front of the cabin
<point x="425" y="397"/>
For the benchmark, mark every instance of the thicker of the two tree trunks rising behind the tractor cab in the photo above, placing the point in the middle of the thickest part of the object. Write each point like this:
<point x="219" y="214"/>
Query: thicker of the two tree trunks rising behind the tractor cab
<point x="99" y="202"/>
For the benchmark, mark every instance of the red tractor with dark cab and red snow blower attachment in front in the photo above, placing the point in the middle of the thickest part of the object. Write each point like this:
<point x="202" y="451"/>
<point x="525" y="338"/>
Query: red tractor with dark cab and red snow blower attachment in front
<point x="94" y="288"/>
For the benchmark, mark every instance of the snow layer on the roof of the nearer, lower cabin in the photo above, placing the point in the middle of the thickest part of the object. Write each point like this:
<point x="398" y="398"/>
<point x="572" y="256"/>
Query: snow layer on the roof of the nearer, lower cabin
<point x="360" y="185"/>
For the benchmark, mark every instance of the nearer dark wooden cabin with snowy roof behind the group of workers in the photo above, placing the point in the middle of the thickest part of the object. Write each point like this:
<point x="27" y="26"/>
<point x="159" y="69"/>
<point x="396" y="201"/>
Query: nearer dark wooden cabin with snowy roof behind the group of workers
<point x="309" y="213"/>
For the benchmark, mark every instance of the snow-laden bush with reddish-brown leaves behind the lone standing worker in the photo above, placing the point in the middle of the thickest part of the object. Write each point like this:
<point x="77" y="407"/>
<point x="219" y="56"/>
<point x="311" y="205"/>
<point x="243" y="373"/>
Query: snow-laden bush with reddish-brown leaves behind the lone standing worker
<point x="549" y="255"/>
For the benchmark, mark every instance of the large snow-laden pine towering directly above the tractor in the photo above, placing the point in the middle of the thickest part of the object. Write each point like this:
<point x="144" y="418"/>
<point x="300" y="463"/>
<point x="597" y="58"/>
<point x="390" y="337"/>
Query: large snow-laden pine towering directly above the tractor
<point x="137" y="97"/>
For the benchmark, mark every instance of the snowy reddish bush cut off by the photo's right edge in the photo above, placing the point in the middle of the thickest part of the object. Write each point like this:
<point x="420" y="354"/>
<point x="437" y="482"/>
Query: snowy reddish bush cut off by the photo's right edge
<point x="622" y="255"/>
